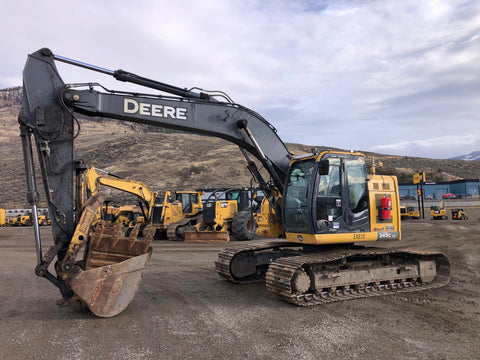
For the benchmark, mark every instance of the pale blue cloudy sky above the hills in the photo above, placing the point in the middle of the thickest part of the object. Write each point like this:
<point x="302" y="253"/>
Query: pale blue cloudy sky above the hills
<point x="395" y="77"/>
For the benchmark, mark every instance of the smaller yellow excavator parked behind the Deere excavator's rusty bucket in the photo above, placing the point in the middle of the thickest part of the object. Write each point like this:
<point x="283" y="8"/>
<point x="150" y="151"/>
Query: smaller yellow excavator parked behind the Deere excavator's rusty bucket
<point x="169" y="217"/>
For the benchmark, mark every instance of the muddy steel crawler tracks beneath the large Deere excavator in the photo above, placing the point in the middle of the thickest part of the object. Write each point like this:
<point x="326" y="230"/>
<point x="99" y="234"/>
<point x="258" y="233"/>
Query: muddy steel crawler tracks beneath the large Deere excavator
<point x="307" y="276"/>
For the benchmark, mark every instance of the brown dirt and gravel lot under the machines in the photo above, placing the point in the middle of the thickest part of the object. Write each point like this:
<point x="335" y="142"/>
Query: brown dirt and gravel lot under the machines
<point x="185" y="311"/>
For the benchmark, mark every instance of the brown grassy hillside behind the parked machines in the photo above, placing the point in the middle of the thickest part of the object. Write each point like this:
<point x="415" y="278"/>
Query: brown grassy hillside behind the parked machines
<point x="173" y="161"/>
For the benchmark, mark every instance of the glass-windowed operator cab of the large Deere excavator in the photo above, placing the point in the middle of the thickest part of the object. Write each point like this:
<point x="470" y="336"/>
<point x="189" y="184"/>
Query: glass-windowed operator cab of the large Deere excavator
<point x="328" y="194"/>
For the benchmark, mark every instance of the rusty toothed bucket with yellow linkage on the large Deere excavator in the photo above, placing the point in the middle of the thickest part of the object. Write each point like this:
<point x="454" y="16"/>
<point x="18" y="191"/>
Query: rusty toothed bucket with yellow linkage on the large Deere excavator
<point x="109" y="276"/>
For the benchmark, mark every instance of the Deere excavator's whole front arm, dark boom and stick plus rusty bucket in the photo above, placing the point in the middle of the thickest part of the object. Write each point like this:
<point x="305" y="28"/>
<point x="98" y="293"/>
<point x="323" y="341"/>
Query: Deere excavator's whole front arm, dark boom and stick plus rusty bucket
<point x="48" y="115"/>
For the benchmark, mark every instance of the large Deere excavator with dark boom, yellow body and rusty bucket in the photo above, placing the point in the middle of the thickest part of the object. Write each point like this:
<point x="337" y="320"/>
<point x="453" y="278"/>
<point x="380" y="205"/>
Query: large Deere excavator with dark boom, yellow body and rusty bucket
<point x="325" y="200"/>
